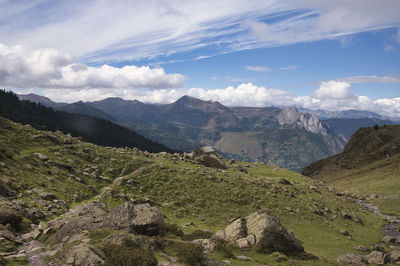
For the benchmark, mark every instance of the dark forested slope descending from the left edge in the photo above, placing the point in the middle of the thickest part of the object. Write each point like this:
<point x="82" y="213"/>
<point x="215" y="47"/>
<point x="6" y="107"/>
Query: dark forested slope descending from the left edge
<point x="95" y="130"/>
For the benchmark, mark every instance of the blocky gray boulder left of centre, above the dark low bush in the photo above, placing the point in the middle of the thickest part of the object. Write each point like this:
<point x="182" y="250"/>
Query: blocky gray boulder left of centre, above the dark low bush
<point x="142" y="219"/>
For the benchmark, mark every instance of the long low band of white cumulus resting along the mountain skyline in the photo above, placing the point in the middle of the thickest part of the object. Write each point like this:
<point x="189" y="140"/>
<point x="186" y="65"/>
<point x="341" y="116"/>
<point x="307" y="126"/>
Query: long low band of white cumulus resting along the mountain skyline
<point x="331" y="95"/>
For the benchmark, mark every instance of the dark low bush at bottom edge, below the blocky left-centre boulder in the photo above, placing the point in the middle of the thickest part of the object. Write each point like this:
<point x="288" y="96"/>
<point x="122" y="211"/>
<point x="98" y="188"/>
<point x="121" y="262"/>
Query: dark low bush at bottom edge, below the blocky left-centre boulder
<point x="121" y="255"/>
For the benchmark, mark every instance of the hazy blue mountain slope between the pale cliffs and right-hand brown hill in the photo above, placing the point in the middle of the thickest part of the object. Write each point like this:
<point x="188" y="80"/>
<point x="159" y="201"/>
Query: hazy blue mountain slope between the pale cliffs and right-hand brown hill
<point x="348" y="126"/>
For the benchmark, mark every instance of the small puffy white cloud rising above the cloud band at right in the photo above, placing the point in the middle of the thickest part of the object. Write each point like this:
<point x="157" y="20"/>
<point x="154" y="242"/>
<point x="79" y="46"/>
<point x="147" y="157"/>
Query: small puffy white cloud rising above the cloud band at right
<point x="334" y="90"/>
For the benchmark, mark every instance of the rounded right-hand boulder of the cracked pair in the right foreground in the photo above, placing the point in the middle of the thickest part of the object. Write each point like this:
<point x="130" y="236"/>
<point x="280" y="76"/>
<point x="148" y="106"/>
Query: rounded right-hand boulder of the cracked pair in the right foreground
<point x="270" y="233"/>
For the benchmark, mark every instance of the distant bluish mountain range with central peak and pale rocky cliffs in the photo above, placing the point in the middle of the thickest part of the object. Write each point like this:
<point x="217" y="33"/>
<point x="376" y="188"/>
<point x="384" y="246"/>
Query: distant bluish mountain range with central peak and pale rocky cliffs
<point x="285" y="137"/>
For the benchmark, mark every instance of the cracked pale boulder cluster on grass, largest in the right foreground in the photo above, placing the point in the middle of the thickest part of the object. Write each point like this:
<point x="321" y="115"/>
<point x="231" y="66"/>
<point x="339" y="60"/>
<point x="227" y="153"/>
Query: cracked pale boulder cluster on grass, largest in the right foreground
<point x="260" y="229"/>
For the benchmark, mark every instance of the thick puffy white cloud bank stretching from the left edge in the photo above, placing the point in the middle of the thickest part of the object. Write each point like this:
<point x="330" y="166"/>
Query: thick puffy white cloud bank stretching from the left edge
<point x="48" y="68"/>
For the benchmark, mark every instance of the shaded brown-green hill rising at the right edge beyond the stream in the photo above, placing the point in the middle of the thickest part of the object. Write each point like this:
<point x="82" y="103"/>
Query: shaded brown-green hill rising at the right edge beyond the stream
<point x="369" y="163"/>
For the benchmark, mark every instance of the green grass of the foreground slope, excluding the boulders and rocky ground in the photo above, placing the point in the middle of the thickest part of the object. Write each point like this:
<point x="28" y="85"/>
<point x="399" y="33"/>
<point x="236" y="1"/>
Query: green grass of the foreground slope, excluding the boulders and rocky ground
<point x="184" y="191"/>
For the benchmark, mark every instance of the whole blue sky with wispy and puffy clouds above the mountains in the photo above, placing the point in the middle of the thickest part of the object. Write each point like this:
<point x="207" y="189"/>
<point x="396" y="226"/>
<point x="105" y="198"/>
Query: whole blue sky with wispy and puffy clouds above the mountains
<point x="315" y="54"/>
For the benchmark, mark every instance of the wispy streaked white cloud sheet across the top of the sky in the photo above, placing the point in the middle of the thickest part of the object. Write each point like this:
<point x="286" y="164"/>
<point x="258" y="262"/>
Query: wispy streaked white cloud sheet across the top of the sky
<point x="99" y="30"/>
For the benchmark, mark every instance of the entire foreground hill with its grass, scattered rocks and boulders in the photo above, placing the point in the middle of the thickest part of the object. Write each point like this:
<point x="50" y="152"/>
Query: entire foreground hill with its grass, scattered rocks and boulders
<point x="79" y="203"/>
